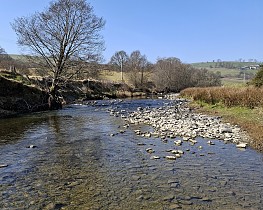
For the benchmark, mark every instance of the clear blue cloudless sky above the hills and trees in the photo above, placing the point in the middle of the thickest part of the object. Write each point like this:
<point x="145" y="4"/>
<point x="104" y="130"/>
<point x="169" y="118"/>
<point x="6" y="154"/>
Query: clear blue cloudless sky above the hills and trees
<point x="191" y="30"/>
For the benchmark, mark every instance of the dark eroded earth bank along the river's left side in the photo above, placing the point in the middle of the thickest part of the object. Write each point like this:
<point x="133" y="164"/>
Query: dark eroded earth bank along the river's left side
<point x="19" y="94"/>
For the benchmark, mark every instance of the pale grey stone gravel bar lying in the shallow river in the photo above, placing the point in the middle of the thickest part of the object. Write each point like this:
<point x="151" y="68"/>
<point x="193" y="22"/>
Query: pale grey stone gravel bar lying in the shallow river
<point x="176" y="119"/>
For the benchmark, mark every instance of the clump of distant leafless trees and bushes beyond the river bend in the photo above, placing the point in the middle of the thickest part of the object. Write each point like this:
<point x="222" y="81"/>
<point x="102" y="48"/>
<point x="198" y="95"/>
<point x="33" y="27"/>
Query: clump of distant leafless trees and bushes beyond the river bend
<point x="167" y="74"/>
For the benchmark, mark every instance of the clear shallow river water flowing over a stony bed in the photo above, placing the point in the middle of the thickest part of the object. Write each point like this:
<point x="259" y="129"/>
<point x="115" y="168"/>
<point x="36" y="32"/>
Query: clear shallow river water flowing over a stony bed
<point x="75" y="162"/>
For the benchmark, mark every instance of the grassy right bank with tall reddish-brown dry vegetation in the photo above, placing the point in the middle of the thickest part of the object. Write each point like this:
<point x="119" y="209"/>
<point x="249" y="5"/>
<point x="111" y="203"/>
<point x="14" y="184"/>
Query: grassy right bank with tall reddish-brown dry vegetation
<point x="241" y="106"/>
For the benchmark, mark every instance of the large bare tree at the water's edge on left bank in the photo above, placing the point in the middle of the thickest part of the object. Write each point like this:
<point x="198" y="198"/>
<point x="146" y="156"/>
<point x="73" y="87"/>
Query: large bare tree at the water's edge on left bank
<point x="62" y="39"/>
